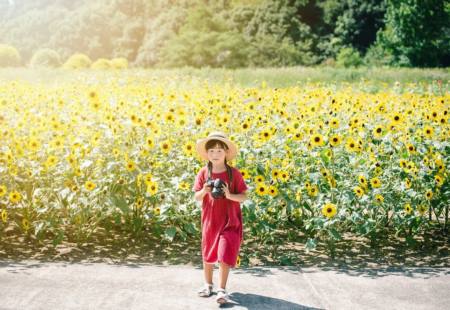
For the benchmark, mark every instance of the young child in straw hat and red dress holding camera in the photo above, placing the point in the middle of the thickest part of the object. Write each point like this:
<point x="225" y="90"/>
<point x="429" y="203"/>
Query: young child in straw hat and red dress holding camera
<point x="222" y="231"/>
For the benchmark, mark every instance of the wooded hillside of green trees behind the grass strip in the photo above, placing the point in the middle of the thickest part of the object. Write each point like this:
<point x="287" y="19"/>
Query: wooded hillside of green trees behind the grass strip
<point x="232" y="33"/>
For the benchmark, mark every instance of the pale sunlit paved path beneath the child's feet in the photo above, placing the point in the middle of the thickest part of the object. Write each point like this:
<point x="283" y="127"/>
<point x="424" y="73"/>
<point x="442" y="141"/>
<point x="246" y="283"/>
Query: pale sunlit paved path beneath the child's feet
<point x="56" y="285"/>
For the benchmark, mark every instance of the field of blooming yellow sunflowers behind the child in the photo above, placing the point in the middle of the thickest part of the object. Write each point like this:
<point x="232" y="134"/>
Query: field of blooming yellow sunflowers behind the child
<point x="116" y="152"/>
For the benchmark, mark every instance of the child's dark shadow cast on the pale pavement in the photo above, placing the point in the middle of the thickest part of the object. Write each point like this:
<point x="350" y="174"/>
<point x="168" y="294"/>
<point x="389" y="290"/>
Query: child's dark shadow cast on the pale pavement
<point x="253" y="301"/>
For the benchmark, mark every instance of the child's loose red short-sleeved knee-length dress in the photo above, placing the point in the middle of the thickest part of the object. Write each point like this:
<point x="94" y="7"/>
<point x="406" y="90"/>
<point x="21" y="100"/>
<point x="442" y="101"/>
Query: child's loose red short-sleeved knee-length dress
<point x="222" y="231"/>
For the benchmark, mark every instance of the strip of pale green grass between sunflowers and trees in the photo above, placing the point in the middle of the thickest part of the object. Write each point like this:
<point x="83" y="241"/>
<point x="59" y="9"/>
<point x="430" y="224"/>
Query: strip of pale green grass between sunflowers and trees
<point x="250" y="77"/>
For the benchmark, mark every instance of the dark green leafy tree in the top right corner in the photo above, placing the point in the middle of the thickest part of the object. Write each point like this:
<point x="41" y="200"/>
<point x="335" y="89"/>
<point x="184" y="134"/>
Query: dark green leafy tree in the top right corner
<point x="417" y="33"/>
